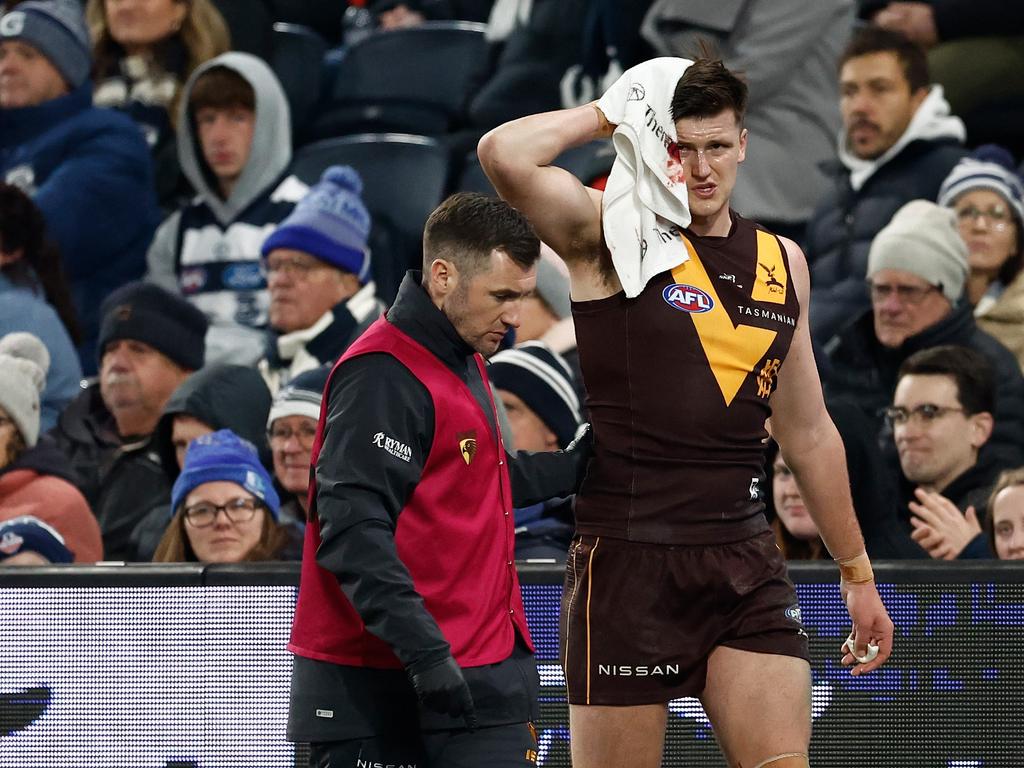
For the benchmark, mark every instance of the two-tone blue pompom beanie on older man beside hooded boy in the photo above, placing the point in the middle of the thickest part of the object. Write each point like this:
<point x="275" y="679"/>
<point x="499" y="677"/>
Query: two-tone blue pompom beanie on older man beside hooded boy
<point x="330" y="224"/>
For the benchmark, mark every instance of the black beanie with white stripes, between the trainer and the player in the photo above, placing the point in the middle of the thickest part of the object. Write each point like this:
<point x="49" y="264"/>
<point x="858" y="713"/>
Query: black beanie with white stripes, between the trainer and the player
<point x="543" y="380"/>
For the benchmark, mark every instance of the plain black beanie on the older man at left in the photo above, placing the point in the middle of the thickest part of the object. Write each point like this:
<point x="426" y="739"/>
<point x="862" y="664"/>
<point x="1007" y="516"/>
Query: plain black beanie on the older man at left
<point x="143" y="312"/>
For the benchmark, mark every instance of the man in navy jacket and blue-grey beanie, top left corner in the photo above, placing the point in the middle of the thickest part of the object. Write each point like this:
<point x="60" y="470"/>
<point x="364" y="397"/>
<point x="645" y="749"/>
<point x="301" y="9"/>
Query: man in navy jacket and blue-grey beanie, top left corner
<point x="88" y="169"/>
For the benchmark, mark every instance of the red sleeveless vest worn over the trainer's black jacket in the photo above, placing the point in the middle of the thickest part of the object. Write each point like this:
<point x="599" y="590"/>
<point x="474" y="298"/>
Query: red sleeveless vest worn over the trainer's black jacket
<point x="455" y="535"/>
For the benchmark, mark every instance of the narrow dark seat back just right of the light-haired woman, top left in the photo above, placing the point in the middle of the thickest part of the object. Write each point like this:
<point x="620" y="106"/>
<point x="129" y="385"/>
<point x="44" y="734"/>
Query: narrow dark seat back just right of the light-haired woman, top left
<point x="297" y="60"/>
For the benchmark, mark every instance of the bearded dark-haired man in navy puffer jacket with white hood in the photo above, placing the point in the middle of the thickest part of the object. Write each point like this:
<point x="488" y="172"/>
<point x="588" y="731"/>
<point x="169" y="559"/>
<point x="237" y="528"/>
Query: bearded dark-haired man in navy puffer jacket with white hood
<point x="899" y="144"/>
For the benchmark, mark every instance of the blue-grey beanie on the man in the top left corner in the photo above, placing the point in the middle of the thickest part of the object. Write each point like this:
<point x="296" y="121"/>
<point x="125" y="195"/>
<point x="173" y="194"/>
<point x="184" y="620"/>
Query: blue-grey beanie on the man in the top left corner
<point x="58" y="30"/>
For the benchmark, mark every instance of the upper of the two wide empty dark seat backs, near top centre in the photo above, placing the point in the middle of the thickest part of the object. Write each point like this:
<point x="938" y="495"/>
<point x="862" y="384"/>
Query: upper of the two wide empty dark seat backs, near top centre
<point x="414" y="80"/>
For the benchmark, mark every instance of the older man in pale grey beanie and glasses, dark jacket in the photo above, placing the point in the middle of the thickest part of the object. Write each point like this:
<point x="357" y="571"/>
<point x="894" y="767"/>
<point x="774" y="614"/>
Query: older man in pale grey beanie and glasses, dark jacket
<point x="917" y="271"/>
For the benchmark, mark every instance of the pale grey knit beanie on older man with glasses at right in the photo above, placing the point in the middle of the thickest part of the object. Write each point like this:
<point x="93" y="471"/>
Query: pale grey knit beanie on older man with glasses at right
<point x="923" y="239"/>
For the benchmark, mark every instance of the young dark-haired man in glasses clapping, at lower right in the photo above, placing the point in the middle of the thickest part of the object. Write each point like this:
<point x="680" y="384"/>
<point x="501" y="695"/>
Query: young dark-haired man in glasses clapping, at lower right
<point x="942" y="419"/>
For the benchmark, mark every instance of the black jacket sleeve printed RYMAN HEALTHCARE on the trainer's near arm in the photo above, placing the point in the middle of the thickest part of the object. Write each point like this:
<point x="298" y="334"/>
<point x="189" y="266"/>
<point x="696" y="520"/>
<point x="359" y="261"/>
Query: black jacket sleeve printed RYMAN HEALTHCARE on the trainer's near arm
<point x="379" y="432"/>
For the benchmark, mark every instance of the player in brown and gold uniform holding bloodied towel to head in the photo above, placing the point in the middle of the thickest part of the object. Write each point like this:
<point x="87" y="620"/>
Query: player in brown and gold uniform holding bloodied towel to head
<point x="682" y="370"/>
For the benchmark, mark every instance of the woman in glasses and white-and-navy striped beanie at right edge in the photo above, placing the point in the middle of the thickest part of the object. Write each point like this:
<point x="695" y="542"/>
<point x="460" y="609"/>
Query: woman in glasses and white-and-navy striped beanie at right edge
<point x="988" y="196"/>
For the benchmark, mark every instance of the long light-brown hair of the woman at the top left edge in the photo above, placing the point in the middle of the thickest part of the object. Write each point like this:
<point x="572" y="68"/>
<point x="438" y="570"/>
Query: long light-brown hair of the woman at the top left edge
<point x="204" y="35"/>
